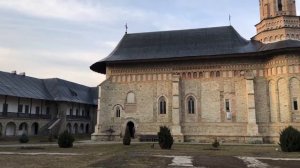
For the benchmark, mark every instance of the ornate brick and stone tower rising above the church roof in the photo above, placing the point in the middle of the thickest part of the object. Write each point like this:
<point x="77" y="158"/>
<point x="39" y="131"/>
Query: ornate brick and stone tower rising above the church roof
<point x="278" y="21"/>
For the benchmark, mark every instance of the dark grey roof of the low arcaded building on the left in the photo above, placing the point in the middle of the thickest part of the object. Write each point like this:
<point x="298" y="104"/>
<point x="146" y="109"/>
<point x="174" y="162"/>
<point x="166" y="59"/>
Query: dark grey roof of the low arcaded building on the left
<point x="46" y="89"/>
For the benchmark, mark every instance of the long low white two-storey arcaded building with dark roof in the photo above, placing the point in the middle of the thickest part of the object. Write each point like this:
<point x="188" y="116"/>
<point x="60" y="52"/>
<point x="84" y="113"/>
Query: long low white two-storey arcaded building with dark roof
<point x="45" y="106"/>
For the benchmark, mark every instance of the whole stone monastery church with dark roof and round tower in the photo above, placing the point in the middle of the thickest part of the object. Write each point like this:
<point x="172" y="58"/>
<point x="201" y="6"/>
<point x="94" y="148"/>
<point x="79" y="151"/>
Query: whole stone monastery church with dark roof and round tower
<point x="205" y="83"/>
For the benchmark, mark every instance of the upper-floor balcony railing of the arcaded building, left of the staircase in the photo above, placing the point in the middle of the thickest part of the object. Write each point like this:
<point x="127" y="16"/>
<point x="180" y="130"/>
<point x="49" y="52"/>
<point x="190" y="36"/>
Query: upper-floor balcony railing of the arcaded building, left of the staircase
<point x="24" y="115"/>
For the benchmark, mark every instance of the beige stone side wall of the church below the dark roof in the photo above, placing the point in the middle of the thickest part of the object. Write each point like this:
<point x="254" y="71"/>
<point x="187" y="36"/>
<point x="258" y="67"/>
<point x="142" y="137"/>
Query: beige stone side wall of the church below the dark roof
<point x="136" y="90"/>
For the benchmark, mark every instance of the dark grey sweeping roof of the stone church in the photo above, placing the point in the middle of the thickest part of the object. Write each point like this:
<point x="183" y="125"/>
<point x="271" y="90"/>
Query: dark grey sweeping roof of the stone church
<point x="215" y="41"/>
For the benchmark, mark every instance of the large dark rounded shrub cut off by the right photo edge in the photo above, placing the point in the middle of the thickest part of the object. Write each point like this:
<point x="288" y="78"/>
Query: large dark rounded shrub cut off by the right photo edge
<point x="289" y="140"/>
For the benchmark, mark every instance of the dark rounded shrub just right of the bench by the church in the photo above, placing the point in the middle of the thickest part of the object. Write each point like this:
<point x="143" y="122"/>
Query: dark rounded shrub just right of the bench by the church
<point x="165" y="138"/>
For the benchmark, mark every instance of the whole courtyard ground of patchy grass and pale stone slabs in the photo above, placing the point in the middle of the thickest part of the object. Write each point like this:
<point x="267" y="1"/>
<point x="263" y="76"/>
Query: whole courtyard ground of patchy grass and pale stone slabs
<point x="142" y="155"/>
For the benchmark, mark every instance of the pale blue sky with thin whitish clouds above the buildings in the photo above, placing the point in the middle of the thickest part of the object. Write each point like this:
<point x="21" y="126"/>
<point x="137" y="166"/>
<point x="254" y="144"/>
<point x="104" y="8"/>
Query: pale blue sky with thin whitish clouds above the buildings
<point x="62" y="38"/>
